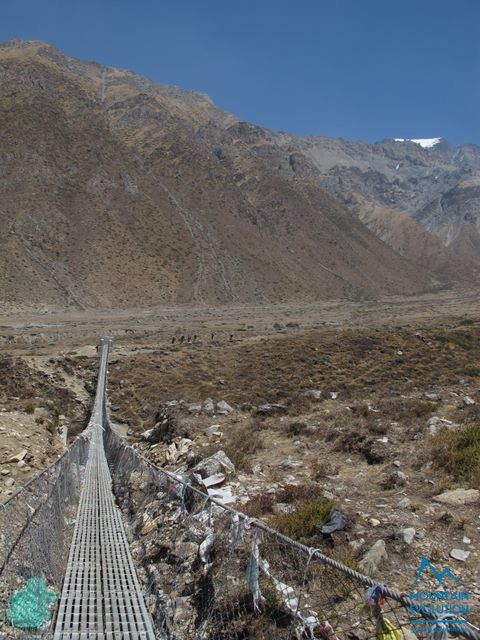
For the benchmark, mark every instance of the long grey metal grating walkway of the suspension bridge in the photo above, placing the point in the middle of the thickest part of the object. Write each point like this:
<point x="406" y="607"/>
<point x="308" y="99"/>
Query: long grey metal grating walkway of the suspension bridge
<point x="101" y="595"/>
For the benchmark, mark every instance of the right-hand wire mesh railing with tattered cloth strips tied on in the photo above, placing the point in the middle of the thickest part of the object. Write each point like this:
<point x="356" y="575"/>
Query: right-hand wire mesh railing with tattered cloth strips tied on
<point x="210" y="572"/>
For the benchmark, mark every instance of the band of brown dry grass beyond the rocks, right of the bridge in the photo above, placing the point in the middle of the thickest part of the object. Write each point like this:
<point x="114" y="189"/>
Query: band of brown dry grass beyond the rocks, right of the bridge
<point x="357" y="363"/>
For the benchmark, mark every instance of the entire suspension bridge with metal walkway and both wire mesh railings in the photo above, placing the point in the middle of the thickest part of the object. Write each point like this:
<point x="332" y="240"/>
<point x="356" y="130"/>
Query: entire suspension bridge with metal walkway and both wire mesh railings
<point x="206" y="570"/>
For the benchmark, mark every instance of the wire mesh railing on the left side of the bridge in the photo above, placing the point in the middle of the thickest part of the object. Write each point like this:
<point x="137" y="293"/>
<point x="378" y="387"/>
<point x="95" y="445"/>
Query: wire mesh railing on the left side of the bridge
<point x="36" y="525"/>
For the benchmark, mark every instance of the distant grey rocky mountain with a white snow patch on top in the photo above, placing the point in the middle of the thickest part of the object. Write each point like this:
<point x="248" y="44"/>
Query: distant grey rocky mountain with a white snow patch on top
<point x="405" y="182"/>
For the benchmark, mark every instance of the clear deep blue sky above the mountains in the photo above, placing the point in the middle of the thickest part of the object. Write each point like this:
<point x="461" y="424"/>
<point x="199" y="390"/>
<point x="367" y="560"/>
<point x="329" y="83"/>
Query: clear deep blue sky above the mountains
<point x="360" y="69"/>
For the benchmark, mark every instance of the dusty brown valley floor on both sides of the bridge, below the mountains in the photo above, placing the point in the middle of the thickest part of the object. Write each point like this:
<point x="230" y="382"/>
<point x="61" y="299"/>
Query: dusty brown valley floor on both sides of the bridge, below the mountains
<point x="383" y="372"/>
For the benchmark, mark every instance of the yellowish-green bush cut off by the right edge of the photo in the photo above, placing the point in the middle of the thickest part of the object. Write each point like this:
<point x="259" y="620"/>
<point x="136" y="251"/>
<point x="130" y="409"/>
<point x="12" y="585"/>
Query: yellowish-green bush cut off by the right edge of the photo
<point x="458" y="453"/>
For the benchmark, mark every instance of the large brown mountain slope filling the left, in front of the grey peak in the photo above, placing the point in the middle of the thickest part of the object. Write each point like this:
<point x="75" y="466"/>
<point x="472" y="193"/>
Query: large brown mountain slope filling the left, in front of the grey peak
<point x="116" y="191"/>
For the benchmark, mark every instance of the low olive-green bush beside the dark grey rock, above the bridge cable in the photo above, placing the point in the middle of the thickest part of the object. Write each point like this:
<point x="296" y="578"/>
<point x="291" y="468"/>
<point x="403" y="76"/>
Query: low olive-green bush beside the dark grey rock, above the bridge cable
<point x="302" y="523"/>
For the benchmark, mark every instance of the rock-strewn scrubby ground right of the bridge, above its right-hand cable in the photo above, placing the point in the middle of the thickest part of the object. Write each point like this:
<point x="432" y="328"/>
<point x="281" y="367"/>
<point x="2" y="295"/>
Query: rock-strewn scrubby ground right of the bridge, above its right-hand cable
<point x="373" y="420"/>
